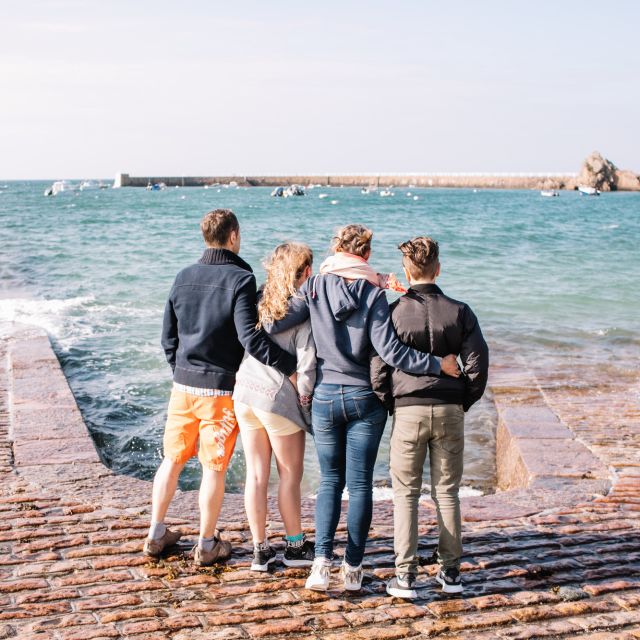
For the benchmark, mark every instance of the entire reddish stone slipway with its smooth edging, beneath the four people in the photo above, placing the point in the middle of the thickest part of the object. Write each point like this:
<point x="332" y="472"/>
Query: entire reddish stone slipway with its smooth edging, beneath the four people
<point x="556" y="553"/>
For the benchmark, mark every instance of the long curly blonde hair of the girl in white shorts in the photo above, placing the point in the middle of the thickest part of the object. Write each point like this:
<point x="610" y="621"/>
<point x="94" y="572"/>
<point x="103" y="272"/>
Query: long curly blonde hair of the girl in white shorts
<point x="284" y="268"/>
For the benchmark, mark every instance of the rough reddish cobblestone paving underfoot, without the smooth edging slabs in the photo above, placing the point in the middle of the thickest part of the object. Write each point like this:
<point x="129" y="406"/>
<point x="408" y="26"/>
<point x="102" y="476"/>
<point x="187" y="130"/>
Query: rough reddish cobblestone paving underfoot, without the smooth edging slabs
<point x="71" y="567"/>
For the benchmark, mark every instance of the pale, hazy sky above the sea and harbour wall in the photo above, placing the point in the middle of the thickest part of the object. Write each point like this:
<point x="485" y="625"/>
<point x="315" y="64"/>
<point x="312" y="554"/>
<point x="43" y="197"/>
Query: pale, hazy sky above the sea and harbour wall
<point x="88" y="88"/>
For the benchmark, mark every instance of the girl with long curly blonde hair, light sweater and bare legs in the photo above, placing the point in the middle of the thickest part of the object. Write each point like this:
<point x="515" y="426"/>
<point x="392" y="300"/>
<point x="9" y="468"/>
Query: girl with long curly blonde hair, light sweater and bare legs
<point x="274" y="416"/>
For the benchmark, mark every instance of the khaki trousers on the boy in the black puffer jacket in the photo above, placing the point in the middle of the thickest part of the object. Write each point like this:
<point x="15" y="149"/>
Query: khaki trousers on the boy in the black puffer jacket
<point x="439" y="431"/>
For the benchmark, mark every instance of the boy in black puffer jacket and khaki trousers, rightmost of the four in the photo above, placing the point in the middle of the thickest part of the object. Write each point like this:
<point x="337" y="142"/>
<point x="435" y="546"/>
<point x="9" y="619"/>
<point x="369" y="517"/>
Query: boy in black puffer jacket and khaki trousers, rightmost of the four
<point x="429" y="413"/>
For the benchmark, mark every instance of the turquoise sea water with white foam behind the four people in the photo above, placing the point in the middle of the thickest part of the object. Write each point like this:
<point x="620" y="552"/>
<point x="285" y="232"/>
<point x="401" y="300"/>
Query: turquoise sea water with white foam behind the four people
<point x="550" y="279"/>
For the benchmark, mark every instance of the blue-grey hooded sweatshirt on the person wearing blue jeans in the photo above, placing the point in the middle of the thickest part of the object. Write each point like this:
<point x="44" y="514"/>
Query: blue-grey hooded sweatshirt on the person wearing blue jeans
<point x="349" y="320"/>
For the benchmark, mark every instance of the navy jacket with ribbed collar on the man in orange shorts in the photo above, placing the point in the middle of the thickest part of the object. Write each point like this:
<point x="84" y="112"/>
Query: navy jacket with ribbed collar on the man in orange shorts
<point x="210" y="319"/>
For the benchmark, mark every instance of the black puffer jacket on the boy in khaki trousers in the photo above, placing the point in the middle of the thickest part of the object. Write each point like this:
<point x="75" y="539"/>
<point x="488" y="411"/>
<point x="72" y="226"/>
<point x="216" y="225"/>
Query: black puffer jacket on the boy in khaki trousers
<point x="426" y="319"/>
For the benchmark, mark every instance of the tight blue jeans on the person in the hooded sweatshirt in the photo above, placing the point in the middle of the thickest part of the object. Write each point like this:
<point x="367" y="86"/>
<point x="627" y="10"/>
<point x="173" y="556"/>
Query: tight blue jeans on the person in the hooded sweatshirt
<point x="348" y="422"/>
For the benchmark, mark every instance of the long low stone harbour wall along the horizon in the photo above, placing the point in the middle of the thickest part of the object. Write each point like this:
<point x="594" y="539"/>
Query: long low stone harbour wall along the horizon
<point x="436" y="180"/>
